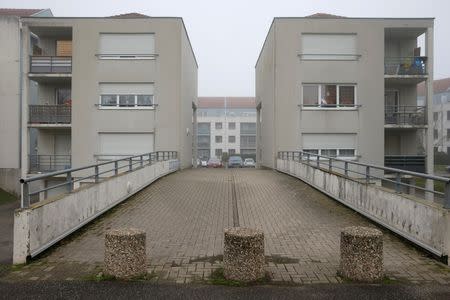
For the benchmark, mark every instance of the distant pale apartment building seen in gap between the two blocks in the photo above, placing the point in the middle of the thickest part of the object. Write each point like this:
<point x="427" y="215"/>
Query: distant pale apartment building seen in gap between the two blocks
<point x="226" y="124"/>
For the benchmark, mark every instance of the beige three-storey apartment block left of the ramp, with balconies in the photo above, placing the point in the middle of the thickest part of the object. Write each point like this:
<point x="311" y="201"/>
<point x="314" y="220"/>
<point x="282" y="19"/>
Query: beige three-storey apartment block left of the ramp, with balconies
<point x="106" y="88"/>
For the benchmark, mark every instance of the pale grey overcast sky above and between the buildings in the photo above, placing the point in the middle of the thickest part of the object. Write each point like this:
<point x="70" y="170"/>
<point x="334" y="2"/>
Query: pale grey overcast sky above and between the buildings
<point x="227" y="35"/>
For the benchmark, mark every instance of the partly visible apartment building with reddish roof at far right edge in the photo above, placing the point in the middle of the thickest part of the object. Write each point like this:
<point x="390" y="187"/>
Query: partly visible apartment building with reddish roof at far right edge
<point x="441" y="113"/>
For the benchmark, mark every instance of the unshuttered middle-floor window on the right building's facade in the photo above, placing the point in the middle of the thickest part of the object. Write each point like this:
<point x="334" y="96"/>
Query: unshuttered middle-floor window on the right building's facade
<point x="329" y="95"/>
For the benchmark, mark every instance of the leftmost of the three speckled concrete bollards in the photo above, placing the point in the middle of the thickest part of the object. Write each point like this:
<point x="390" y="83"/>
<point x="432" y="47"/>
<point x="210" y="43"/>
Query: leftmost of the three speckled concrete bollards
<point x="125" y="255"/>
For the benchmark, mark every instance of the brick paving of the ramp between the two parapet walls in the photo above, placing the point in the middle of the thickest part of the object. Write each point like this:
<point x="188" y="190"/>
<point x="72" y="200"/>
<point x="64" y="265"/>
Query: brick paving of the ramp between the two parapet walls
<point x="184" y="215"/>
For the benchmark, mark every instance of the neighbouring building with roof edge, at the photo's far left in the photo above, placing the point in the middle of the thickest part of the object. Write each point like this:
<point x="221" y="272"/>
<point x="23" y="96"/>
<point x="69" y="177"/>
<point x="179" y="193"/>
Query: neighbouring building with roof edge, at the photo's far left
<point x="10" y="95"/>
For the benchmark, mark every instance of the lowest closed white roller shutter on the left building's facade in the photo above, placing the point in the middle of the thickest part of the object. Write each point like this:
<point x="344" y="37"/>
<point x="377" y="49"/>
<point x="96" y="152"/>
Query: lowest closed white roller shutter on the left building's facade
<point x="126" y="143"/>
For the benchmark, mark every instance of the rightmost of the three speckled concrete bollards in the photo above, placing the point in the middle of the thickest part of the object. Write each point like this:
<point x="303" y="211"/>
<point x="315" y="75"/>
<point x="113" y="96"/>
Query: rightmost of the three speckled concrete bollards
<point x="361" y="254"/>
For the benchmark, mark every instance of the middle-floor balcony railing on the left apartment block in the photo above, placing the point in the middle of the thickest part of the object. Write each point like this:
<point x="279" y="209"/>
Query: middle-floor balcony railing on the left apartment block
<point x="50" y="114"/>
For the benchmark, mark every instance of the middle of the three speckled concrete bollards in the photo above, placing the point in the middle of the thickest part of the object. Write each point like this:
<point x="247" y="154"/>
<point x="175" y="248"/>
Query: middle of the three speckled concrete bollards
<point x="243" y="254"/>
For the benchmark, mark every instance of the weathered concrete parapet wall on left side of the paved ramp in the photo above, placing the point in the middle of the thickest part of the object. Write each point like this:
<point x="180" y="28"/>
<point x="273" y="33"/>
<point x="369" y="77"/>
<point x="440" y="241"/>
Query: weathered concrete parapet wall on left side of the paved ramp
<point x="44" y="223"/>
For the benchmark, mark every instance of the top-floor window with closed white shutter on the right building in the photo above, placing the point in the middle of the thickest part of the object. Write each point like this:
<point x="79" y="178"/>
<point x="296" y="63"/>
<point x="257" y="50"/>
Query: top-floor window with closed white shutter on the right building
<point x="328" y="47"/>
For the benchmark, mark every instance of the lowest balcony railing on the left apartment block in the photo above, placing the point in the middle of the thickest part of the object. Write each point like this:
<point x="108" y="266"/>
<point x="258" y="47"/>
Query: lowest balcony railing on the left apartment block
<point x="49" y="163"/>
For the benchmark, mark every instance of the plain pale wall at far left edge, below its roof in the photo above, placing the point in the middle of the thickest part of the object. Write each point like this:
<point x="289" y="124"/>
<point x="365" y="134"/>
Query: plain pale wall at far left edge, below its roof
<point x="10" y="103"/>
